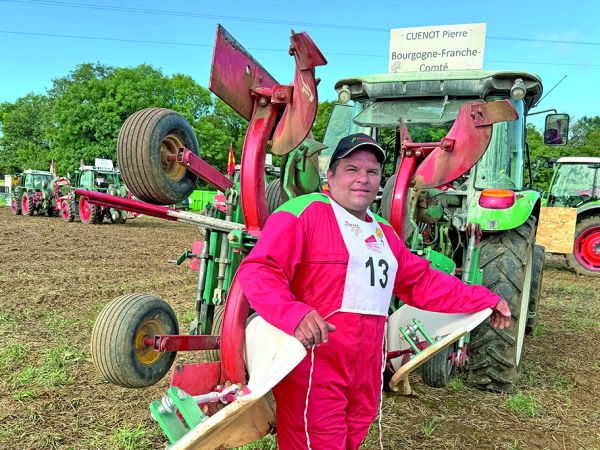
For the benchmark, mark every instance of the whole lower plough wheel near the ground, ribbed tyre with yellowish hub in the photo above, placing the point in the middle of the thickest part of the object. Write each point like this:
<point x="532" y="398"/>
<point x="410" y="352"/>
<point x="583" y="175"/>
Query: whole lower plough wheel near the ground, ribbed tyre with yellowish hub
<point x="118" y="349"/>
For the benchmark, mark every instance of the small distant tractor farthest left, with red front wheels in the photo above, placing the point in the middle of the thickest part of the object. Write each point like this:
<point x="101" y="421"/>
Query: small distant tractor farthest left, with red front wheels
<point x="32" y="192"/>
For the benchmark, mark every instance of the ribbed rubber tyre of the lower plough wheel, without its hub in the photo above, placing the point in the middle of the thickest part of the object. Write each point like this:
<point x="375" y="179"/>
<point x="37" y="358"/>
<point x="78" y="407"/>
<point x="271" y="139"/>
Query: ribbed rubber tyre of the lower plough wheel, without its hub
<point x="110" y="340"/>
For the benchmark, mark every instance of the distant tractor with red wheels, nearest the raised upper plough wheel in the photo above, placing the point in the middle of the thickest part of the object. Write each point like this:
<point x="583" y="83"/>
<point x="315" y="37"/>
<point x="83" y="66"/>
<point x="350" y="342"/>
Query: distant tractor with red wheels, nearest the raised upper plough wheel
<point x="101" y="177"/>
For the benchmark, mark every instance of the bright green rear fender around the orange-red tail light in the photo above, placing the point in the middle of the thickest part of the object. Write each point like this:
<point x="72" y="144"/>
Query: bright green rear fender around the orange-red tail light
<point x="526" y="204"/>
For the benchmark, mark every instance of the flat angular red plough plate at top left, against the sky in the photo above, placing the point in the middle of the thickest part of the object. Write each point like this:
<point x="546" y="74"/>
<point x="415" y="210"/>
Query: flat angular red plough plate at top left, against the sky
<point x="235" y="73"/>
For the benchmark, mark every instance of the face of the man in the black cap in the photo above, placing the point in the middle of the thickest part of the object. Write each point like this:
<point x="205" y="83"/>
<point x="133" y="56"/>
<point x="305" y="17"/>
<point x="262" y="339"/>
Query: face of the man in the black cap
<point x="356" y="182"/>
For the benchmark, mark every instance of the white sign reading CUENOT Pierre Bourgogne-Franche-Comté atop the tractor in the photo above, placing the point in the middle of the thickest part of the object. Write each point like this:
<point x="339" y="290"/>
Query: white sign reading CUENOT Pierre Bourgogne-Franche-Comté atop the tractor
<point x="428" y="49"/>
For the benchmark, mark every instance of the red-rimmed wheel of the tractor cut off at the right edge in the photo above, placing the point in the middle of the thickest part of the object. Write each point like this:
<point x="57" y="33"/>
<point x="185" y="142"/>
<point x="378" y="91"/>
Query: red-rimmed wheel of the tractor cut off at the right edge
<point x="585" y="259"/>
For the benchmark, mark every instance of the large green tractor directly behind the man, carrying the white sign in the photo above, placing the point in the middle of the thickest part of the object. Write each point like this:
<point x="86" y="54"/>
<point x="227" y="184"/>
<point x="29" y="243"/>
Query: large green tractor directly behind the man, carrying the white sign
<point x="480" y="227"/>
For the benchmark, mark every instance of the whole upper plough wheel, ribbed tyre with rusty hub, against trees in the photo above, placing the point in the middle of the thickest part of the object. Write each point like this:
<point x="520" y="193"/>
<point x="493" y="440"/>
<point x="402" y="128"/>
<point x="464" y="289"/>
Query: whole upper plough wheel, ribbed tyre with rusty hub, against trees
<point x="145" y="140"/>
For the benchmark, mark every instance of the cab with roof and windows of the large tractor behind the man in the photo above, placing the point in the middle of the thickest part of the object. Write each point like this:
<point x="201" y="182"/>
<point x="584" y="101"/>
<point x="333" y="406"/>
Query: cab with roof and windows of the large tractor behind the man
<point x="428" y="104"/>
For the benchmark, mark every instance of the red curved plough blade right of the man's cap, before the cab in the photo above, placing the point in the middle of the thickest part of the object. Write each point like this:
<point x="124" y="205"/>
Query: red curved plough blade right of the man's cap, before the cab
<point x="465" y="143"/>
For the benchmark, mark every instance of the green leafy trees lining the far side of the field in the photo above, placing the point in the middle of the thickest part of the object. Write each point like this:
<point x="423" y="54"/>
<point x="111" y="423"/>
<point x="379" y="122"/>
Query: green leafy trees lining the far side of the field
<point x="80" y="115"/>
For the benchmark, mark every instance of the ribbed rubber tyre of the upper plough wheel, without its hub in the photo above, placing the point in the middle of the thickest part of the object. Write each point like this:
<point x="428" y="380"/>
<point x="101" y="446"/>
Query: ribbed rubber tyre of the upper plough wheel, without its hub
<point x="143" y="179"/>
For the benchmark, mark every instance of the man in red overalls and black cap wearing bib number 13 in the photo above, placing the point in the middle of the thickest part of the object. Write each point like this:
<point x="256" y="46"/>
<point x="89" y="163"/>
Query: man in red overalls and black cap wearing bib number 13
<point x="324" y="271"/>
